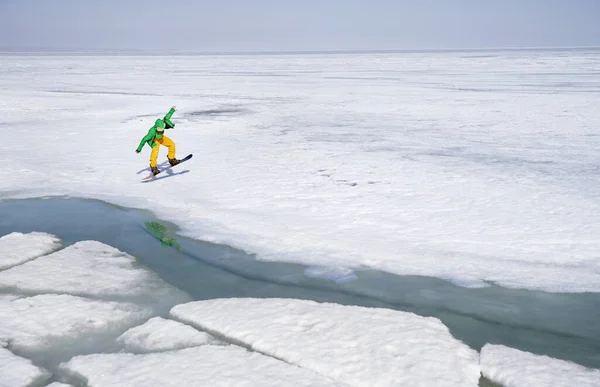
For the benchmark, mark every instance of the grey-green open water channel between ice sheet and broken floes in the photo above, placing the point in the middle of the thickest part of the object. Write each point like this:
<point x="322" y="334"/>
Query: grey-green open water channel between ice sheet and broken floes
<point x="564" y="326"/>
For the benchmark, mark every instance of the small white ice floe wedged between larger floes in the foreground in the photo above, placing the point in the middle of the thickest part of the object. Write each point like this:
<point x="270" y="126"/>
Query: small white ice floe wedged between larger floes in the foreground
<point x="159" y="334"/>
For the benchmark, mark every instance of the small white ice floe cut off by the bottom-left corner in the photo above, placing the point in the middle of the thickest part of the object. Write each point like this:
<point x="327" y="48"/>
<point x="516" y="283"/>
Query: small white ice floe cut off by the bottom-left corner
<point x="16" y="371"/>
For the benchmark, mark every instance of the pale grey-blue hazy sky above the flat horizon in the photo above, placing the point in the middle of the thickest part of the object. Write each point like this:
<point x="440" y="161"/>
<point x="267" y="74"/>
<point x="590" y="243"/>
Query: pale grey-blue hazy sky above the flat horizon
<point x="259" y="25"/>
